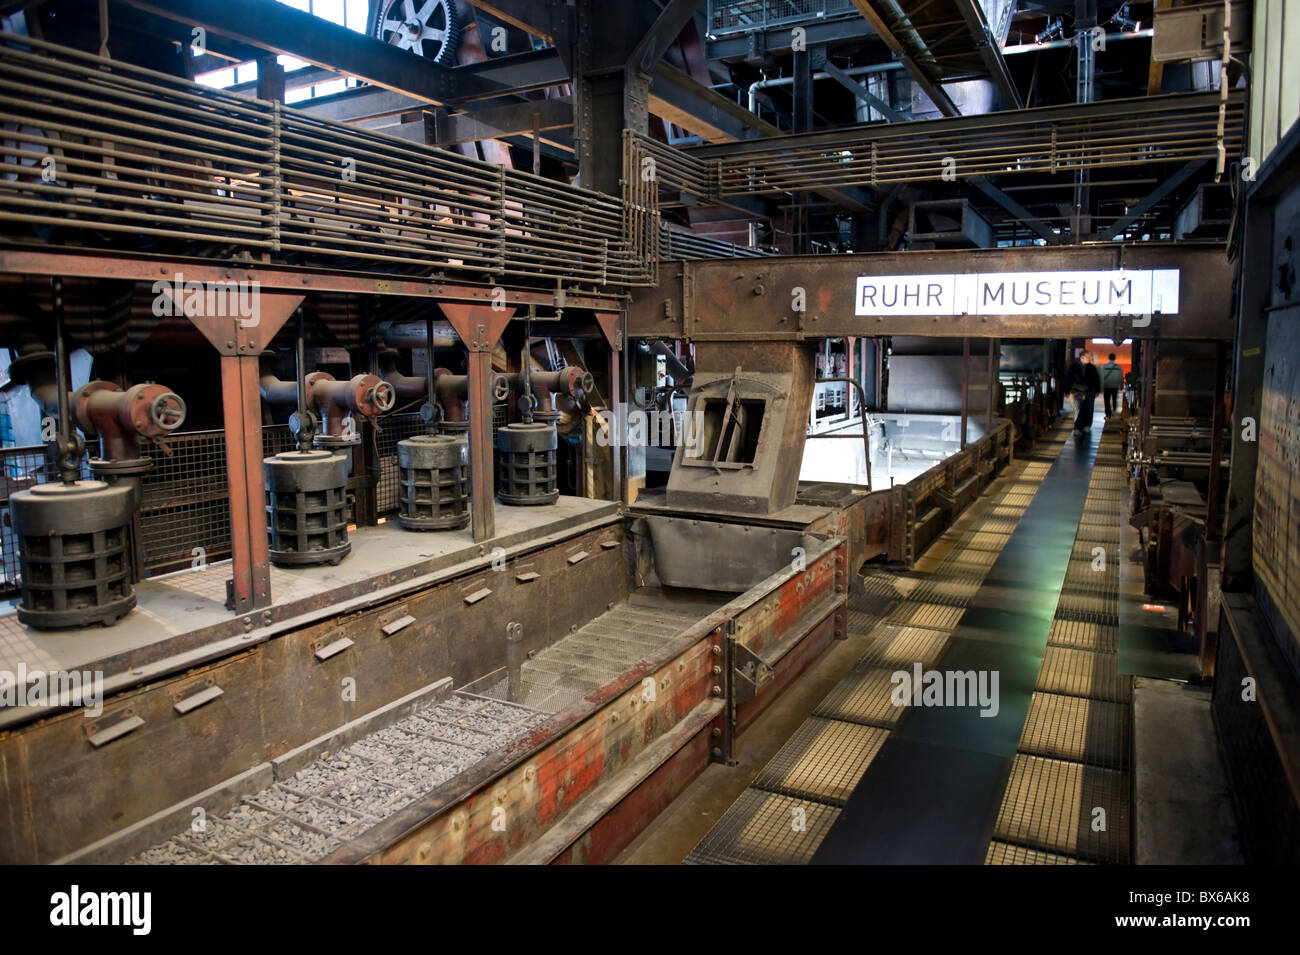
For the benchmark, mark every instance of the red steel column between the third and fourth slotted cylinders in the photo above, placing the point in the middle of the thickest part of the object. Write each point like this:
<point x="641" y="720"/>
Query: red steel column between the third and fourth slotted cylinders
<point x="479" y="328"/>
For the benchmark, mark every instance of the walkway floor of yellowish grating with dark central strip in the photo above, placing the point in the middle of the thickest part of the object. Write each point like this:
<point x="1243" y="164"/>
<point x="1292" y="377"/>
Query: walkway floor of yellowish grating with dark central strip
<point x="1028" y="592"/>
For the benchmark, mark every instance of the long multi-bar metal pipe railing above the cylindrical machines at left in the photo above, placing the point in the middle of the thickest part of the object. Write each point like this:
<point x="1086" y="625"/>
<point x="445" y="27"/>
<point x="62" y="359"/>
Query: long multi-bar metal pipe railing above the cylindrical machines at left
<point x="107" y="155"/>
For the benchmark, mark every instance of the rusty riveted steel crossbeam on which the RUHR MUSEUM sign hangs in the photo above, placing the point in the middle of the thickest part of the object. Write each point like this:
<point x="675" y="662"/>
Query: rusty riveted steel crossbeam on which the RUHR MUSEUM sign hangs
<point x="749" y="299"/>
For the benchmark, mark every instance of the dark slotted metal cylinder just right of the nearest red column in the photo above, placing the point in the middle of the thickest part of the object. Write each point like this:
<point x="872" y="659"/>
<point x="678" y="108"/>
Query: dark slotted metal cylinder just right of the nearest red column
<point x="307" y="507"/>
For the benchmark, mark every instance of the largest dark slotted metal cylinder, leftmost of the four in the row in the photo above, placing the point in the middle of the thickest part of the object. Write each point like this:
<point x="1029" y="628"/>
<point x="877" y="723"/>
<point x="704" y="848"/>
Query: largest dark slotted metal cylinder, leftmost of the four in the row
<point x="75" y="546"/>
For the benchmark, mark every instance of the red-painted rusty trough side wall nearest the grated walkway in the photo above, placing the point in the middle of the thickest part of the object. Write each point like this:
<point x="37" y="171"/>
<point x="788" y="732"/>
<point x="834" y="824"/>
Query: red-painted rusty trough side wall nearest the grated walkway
<point x="504" y="806"/>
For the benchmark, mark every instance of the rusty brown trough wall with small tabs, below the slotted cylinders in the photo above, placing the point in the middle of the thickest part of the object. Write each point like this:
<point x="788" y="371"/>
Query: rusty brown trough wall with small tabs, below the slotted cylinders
<point x="279" y="694"/>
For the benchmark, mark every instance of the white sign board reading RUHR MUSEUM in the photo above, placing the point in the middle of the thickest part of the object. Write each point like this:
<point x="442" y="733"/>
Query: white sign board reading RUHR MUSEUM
<point x="1120" y="293"/>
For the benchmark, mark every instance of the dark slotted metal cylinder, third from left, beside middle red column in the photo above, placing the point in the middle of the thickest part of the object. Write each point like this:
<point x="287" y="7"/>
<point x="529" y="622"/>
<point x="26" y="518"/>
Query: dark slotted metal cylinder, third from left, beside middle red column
<point x="435" y="483"/>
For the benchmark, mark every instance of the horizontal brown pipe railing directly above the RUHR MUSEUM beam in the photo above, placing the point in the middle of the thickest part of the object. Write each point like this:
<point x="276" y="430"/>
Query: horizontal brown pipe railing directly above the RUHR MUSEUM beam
<point x="1052" y="140"/>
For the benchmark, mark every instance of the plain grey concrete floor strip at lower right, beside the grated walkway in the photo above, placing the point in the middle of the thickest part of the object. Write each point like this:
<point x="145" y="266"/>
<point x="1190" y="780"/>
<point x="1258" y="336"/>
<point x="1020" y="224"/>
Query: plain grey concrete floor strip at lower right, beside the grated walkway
<point x="1184" y="806"/>
